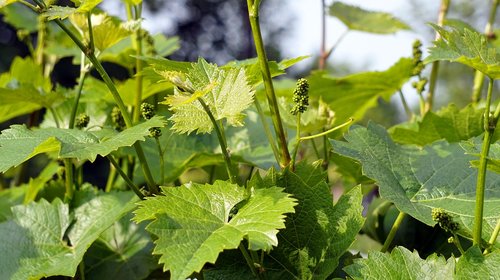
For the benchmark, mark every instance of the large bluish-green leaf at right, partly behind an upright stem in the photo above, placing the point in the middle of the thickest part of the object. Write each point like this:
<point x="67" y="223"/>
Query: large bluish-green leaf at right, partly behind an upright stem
<point x="419" y="179"/>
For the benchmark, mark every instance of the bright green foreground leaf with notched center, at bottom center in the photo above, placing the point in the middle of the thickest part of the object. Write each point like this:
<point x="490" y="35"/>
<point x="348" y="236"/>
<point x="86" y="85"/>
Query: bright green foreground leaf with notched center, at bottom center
<point x="195" y="220"/>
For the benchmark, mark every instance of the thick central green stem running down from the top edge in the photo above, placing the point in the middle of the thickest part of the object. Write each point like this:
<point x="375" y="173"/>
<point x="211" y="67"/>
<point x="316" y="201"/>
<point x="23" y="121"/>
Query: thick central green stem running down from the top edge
<point x="253" y="12"/>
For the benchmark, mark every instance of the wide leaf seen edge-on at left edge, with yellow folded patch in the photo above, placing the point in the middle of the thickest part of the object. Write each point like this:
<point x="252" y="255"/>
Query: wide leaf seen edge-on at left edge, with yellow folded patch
<point x="18" y="143"/>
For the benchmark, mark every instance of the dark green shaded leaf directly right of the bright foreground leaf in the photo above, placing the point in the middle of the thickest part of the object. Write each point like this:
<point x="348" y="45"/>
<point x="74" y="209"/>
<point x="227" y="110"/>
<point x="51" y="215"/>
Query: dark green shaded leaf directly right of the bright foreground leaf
<point x="319" y="232"/>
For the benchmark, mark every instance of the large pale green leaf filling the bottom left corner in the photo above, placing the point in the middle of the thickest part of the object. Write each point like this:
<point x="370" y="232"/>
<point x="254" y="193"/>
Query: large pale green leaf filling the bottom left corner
<point x="46" y="239"/>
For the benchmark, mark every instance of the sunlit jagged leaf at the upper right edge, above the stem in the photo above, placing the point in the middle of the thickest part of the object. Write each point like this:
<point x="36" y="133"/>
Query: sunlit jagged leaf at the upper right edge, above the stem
<point x="468" y="47"/>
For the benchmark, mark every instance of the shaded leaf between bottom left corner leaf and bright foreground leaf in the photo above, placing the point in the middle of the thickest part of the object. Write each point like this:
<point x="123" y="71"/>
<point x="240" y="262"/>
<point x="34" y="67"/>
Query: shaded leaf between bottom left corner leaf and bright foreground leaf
<point x="123" y="251"/>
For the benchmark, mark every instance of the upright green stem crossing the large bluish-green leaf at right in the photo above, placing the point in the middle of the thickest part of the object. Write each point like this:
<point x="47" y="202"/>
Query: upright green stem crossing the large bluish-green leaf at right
<point x="483" y="162"/>
